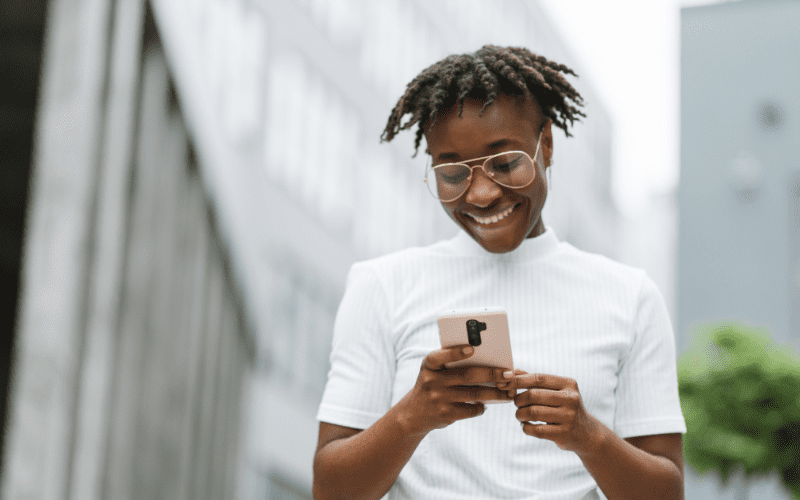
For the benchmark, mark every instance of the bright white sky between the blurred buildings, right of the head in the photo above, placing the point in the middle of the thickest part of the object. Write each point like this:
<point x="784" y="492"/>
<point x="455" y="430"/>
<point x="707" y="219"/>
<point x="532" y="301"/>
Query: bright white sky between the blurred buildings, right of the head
<point x="631" y="51"/>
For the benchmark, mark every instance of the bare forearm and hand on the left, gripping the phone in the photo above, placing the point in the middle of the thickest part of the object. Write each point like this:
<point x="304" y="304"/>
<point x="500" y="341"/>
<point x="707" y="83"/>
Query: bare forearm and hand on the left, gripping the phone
<point x="355" y="464"/>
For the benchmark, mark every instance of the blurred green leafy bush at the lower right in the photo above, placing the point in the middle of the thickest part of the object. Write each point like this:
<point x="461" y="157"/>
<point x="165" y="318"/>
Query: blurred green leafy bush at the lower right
<point x="740" y="395"/>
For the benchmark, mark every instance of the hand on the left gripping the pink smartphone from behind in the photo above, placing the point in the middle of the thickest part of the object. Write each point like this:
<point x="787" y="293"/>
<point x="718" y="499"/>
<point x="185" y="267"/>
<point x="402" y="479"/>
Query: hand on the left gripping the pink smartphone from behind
<point x="439" y="397"/>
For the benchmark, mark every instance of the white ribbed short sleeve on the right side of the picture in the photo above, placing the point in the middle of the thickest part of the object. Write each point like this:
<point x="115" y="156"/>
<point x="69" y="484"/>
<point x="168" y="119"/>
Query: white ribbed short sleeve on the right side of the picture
<point x="647" y="388"/>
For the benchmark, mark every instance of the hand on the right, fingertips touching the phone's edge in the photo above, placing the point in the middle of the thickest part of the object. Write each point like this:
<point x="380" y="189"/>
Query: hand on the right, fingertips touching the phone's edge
<point x="557" y="401"/>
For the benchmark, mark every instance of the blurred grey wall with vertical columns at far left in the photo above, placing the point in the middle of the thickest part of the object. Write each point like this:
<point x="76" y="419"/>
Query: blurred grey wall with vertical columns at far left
<point x="132" y="344"/>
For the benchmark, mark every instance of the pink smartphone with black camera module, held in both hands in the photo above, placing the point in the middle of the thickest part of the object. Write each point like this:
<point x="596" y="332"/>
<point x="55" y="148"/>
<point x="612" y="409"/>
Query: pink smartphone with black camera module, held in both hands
<point x="486" y="329"/>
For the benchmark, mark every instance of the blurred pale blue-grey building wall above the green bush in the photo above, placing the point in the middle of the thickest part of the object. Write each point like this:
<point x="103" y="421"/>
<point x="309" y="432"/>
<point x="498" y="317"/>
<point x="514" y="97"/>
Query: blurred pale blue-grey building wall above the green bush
<point x="739" y="194"/>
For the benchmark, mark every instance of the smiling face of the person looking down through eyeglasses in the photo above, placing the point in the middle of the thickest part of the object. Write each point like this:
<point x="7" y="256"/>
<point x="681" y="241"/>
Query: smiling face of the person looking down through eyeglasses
<point x="508" y="124"/>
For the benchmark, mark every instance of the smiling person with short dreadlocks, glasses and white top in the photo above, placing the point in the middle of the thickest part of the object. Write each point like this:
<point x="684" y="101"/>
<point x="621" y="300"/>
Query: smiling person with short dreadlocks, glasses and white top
<point x="591" y="337"/>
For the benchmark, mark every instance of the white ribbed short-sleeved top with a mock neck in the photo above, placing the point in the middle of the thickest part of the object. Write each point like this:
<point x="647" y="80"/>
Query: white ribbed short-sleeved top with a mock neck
<point x="570" y="313"/>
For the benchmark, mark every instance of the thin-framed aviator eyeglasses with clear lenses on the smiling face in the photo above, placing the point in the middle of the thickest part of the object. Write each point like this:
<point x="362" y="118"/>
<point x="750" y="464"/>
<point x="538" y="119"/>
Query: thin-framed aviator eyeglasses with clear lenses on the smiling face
<point x="513" y="169"/>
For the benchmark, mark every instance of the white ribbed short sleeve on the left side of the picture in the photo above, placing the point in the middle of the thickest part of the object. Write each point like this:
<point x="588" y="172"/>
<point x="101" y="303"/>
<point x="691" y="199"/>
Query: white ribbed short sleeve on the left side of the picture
<point x="359" y="387"/>
